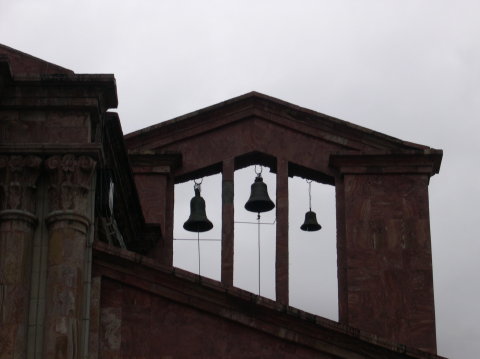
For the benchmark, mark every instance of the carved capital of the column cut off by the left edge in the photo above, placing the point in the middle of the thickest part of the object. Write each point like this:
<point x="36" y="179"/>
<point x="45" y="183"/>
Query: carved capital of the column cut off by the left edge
<point x="18" y="178"/>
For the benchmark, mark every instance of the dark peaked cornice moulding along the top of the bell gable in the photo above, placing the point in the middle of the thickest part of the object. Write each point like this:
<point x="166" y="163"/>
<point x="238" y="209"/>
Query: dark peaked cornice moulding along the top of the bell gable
<point x="260" y="106"/>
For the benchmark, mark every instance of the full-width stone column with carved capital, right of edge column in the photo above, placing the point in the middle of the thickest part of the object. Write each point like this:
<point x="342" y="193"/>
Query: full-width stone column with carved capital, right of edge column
<point x="69" y="187"/>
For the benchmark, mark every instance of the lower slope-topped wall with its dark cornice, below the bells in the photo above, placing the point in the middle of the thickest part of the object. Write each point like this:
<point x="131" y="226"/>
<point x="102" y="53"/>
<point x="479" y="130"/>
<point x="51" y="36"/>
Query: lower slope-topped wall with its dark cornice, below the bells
<point x="150" y="310"/>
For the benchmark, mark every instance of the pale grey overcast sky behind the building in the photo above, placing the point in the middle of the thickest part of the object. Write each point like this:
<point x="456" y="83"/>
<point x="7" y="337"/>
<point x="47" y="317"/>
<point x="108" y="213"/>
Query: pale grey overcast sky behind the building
<point x="410" y="69"/>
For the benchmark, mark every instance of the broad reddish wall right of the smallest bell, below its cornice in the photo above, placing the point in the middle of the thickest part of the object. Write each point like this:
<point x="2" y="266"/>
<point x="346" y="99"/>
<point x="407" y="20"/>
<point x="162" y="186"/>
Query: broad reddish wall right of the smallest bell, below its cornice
<point x="387" y="258"/>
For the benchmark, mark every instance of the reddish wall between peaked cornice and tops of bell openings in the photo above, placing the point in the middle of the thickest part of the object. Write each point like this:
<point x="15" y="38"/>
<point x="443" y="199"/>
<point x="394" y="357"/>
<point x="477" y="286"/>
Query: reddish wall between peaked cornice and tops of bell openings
<point x="249" y="135"/>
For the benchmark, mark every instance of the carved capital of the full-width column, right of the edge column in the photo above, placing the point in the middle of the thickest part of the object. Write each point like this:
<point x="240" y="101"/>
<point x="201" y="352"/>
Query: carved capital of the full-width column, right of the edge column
<point x="70" y="179"/>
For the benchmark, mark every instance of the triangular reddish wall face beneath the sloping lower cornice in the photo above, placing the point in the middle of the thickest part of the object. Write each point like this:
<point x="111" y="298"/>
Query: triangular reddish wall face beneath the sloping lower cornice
<point x="138" y="324"/>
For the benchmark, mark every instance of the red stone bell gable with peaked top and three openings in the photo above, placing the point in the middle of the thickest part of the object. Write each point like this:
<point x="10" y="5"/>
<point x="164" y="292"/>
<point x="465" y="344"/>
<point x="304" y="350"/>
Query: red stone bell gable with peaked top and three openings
<point x="383" y="237"/>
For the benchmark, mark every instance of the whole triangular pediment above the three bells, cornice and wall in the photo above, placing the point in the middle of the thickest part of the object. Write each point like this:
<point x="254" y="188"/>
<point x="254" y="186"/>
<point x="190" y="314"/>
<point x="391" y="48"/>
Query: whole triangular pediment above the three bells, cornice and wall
<point x="259" y="124"/>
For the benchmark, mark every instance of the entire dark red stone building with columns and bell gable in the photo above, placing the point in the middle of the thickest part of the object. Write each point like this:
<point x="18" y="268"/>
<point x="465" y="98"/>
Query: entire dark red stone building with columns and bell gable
<point x="86" y="228"/>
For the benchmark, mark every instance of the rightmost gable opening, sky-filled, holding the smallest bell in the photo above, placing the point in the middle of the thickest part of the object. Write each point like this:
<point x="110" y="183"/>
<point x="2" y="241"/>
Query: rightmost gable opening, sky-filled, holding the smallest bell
<point x="313" y="255"/>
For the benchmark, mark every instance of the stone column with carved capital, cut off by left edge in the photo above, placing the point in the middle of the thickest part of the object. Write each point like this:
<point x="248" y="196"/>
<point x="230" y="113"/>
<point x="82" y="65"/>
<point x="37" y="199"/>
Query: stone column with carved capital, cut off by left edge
<point x="18" y="175"/>
